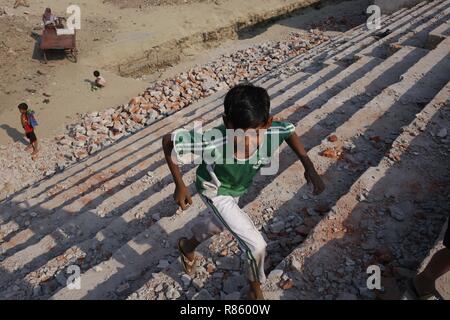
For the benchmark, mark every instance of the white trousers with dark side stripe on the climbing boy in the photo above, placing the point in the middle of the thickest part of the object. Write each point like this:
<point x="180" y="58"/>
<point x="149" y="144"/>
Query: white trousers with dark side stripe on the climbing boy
<point x="227" y="214"/>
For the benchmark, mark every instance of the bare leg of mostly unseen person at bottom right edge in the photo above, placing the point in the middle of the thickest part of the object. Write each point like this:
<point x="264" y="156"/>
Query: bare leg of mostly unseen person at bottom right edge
<point x="438" y="266"/>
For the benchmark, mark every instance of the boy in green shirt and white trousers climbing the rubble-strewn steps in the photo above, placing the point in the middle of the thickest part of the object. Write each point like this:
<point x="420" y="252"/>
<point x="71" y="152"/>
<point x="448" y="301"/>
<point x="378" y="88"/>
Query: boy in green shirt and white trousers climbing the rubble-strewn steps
<point x="221" y="183"/>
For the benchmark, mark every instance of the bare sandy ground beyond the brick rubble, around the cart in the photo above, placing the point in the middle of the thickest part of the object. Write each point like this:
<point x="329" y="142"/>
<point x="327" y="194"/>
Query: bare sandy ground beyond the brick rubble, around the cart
<point x="110" y="34"/>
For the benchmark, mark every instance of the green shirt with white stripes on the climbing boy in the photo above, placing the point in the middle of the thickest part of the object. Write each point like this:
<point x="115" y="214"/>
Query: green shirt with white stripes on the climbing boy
<point x="220" y="172"/>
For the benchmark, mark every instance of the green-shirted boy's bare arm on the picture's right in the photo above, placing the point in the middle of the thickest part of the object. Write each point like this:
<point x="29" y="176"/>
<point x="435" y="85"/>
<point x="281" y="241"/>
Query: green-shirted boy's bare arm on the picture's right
<point x="311" y="174"/>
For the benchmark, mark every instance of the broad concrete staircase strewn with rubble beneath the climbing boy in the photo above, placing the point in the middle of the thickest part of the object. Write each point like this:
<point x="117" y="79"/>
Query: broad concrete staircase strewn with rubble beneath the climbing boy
<point x="113" y="214"/>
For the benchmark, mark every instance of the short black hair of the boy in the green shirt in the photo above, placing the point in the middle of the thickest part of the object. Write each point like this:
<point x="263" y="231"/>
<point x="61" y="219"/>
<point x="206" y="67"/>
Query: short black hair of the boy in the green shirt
<point x="247" y="106"/>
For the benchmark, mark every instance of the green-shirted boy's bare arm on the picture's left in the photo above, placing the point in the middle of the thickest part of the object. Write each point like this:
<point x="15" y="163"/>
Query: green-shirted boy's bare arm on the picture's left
<point x="181" y="195"/>
